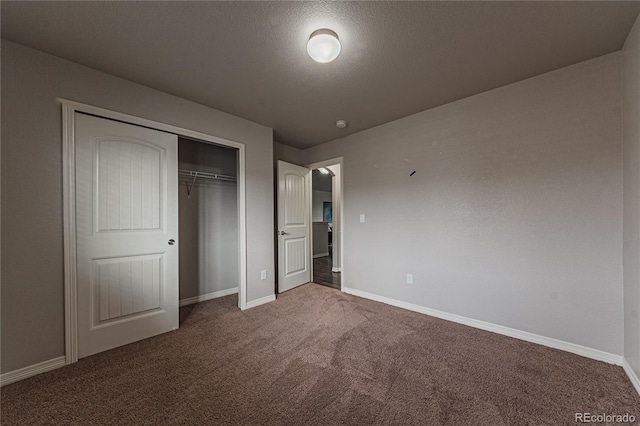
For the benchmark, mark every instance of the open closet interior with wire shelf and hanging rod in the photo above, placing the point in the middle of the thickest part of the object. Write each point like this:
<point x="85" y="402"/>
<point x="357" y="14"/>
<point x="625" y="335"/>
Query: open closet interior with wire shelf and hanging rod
<point x="208" y="220"/>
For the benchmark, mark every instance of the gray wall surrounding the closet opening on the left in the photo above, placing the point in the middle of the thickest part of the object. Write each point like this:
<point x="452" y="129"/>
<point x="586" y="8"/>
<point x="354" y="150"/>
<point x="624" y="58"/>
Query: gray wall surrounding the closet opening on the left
<point x="32" y="234"/>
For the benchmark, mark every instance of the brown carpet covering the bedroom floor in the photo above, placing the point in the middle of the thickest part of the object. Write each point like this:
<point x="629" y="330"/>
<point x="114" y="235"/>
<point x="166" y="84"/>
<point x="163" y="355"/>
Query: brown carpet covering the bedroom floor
<point x="320" y="357"/>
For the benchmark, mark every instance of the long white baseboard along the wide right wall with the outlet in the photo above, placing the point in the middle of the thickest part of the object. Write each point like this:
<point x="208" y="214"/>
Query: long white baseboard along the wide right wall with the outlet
<point x="499" y="329"/>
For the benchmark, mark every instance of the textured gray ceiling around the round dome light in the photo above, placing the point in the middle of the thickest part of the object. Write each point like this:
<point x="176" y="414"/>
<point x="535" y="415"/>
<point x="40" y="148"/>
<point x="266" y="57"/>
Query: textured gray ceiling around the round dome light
<point x="249" y="58"/>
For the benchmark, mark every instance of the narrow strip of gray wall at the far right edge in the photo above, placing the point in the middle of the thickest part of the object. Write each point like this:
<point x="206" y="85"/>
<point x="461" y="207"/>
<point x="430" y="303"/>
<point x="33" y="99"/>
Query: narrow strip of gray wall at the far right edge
<point x="631" y="132"/>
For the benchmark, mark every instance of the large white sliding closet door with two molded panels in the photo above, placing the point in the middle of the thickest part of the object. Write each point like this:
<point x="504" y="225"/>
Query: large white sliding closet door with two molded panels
<point x="127" y="231"/>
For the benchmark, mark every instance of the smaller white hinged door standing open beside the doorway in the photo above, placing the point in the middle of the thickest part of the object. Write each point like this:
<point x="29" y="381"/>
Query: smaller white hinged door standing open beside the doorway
<point x="293" y="226"/>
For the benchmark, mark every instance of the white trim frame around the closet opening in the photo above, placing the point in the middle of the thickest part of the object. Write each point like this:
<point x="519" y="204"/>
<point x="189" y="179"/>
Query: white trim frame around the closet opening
<point x="69" y="108"/>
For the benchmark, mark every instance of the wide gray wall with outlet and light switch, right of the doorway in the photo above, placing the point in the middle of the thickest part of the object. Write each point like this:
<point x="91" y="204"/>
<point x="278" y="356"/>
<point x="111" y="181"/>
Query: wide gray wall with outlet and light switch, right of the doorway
<point x="514" y="214"/>
